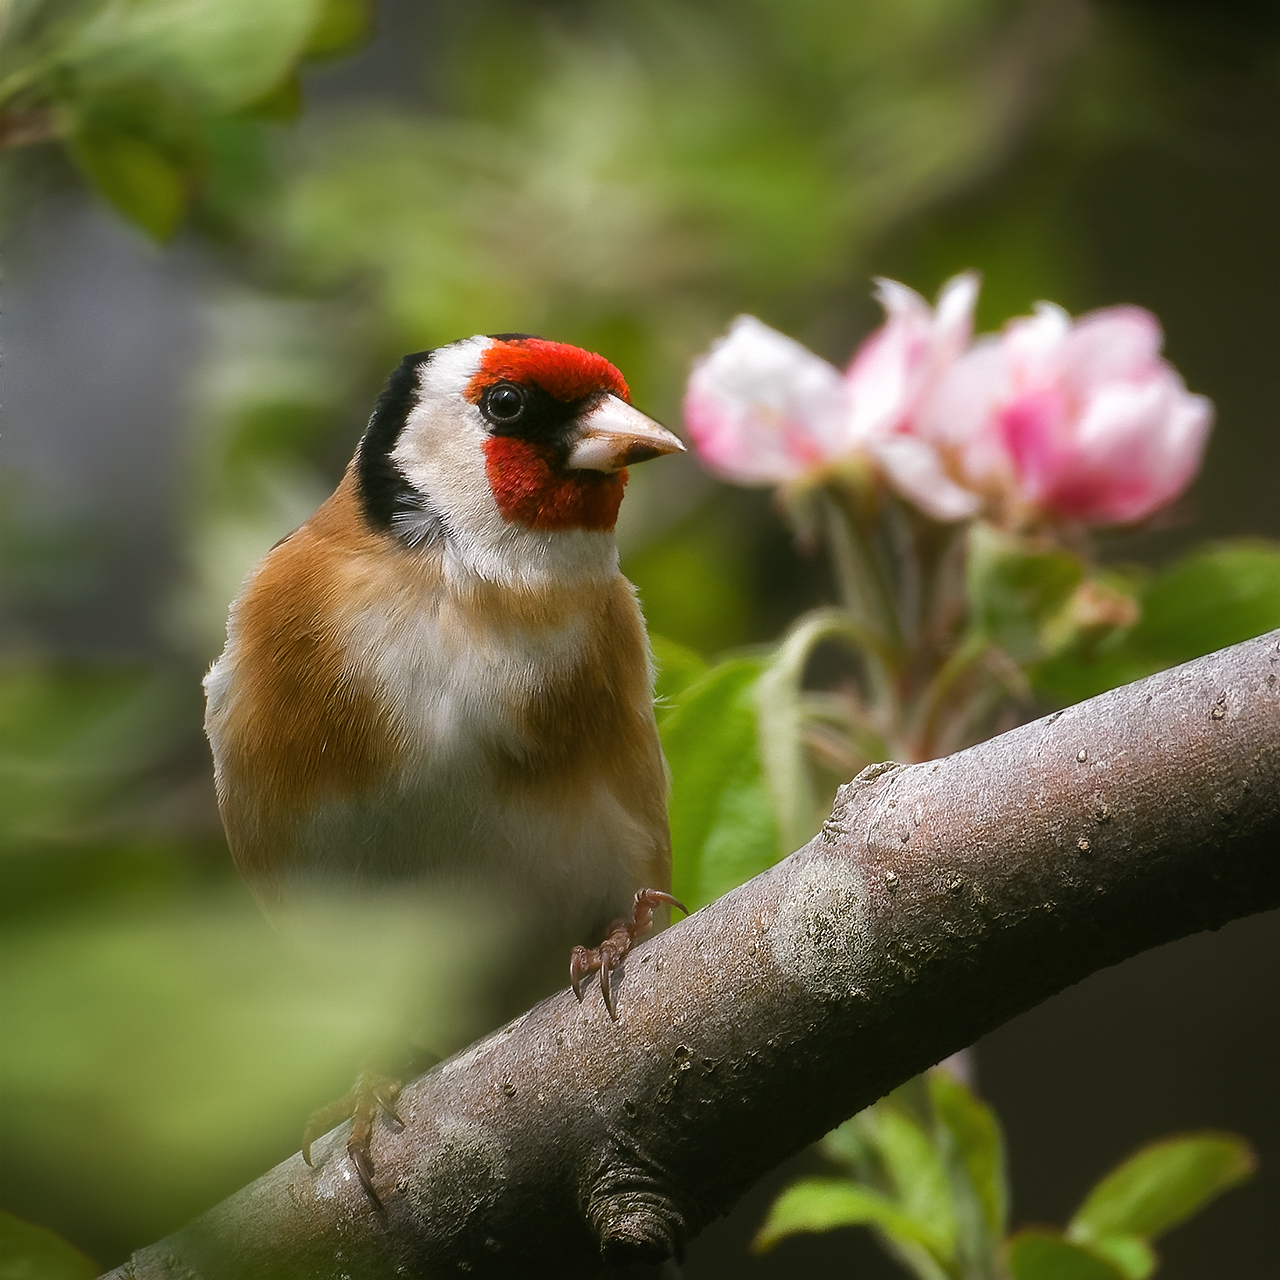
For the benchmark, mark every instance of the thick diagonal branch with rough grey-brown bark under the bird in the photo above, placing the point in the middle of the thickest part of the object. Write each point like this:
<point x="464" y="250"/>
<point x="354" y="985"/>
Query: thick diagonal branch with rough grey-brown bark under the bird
<point x="939" y="902"/>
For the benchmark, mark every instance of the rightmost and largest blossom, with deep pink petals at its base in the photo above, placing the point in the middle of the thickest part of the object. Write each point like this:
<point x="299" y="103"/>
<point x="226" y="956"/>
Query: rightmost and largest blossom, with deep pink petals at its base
<point x="1095" y="427"/>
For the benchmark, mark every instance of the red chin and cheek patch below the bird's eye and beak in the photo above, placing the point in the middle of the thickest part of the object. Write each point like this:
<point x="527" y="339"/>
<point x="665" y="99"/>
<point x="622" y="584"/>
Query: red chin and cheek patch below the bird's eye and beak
<point x="529" y="490"/>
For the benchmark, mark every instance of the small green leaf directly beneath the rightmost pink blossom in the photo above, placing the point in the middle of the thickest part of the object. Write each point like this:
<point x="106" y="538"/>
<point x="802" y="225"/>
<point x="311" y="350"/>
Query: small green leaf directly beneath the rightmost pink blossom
<point x="1016" y="587"/>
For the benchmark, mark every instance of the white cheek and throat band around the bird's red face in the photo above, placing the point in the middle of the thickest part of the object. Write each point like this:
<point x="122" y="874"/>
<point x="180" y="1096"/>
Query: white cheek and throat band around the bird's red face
<point x="441" y="452"/>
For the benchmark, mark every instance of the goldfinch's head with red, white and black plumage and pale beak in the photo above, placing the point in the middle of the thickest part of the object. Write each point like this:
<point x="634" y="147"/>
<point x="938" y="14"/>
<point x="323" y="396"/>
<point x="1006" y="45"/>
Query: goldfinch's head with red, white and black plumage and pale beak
<point x="509" y="450"/>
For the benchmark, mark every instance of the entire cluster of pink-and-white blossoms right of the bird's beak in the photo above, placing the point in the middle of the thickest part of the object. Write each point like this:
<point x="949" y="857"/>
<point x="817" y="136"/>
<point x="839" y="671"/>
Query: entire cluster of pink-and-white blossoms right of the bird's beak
<point x="1069" y="420"/>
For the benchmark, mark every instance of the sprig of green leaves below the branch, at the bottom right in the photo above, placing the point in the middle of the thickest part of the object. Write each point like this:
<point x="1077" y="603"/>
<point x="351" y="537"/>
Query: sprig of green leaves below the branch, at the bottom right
<point x="925" y="1169"/>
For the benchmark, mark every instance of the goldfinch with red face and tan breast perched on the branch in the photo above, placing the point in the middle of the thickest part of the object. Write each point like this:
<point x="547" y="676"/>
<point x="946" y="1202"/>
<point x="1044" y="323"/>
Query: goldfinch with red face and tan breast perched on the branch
<point x="444" y="679"/>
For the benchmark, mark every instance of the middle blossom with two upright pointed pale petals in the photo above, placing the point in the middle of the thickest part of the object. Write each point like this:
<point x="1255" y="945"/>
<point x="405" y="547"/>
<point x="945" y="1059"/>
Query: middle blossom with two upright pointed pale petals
<point x="894" y="376"/>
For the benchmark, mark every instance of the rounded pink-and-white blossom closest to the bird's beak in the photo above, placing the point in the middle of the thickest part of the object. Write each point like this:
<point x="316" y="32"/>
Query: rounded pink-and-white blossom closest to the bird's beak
<point x="762" y="409"/>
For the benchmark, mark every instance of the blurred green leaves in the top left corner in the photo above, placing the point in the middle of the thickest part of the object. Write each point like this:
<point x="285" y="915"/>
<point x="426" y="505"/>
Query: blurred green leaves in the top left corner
<point x="159" y="102"/>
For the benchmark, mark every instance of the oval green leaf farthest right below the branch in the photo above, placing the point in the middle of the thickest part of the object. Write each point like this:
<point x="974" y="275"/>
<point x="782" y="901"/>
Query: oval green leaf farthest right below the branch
<point x="1162" y="1186"/>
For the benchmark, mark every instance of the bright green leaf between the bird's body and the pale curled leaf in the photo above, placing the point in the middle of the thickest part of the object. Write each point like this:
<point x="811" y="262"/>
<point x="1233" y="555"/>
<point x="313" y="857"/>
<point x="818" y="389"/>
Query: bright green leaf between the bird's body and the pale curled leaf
<point x="724" y="830"/>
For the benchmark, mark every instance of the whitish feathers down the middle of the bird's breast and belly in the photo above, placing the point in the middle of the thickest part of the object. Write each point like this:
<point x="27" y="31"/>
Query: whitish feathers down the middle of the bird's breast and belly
<point x="451" y="691"/>
